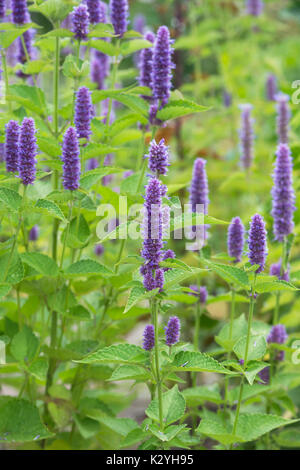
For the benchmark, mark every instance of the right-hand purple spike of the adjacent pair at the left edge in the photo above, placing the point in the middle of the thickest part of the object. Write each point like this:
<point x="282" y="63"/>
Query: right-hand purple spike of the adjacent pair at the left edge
<point x="27" y="151"/>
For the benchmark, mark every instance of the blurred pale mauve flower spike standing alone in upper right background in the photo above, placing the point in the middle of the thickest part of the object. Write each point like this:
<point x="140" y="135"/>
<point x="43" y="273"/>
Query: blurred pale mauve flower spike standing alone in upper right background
<point x="246" y="136"/>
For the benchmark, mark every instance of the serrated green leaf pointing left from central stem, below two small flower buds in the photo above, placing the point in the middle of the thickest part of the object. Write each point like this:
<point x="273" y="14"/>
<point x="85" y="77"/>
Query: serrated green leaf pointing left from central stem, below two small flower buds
<point x="119" y="354"/>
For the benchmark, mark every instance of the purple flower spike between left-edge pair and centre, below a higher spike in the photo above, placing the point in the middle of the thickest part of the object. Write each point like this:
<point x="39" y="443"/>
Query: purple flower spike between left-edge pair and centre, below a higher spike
<point x="71" y="160"/>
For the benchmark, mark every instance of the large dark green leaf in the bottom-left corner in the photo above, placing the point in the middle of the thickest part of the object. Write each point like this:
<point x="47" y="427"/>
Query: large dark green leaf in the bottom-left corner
<point x="20" y="421"/>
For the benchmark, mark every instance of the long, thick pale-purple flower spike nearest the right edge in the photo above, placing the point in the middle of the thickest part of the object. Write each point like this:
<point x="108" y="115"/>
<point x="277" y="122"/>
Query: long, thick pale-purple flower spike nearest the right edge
<point x="283" y="205"/>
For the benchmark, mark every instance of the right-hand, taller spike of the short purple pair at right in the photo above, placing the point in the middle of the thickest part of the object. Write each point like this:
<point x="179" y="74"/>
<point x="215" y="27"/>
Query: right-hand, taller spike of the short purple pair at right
<point x="257" y="242"/>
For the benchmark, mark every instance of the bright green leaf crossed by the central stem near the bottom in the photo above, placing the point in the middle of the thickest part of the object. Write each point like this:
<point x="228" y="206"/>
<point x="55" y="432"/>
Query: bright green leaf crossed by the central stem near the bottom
<point x="173" y="405"/>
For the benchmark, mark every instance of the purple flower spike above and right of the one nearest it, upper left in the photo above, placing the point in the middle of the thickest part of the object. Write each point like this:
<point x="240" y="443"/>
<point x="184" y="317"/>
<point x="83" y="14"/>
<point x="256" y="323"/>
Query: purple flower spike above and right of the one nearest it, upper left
<point x="83" y="113"/>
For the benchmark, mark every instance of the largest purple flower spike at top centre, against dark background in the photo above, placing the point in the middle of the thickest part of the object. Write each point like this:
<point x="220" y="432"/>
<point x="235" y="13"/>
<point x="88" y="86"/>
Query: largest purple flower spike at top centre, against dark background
<point x="162" y="66"/>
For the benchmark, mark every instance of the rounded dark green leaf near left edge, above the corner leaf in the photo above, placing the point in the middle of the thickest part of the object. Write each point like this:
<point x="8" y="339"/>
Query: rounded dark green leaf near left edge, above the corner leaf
<point x="24" y="345"/>
